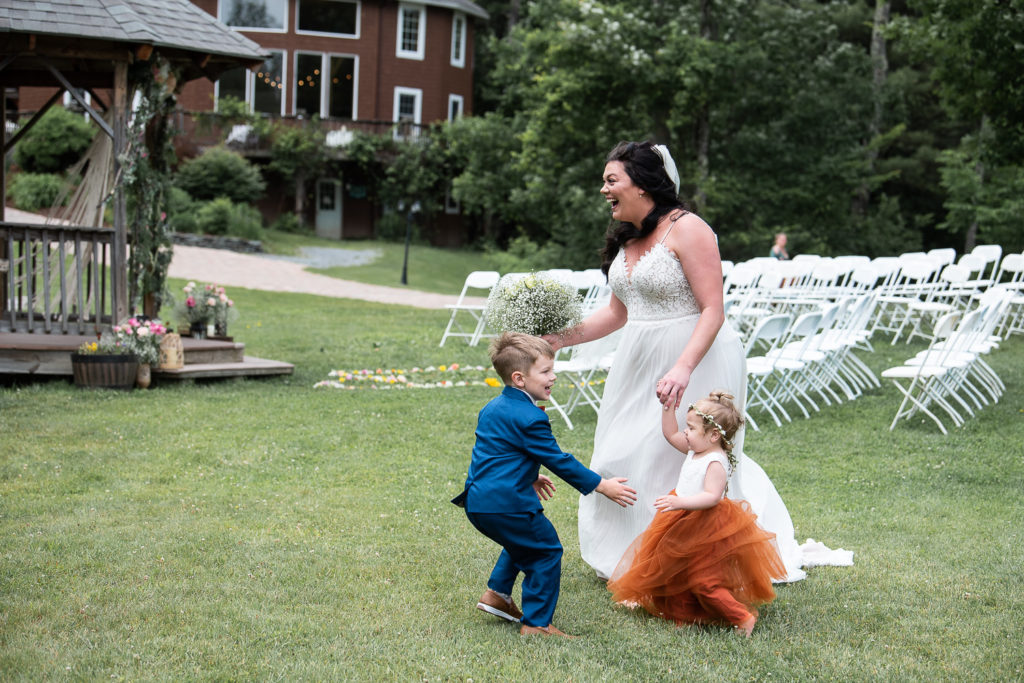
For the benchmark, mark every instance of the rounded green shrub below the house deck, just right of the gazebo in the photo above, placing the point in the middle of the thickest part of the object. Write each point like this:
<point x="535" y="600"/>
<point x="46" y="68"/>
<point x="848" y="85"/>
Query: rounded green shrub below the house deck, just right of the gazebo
<point x="221" y="173"/>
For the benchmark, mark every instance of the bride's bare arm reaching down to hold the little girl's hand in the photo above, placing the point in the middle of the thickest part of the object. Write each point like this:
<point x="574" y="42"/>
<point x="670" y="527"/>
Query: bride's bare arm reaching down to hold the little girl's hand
<point x="695" y="245"/>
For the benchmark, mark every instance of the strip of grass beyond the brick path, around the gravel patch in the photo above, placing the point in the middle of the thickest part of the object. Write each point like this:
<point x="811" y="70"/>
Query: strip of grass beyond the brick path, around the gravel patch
<point x="430" y="269"/>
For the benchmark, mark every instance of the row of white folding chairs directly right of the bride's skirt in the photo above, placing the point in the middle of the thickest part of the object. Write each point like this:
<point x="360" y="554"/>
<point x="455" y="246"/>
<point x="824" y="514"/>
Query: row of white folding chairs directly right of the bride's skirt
<point x="793" y="359"/>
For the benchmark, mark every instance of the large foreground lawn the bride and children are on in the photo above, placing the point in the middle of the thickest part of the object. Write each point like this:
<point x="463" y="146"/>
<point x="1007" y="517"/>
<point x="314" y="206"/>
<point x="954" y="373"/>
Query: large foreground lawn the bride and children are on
<point x="267" y="530"/>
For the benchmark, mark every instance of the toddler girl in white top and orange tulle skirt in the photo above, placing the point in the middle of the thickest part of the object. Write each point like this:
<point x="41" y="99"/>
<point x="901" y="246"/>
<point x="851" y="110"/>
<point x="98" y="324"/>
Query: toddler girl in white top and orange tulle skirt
<point x="704" y="559"/>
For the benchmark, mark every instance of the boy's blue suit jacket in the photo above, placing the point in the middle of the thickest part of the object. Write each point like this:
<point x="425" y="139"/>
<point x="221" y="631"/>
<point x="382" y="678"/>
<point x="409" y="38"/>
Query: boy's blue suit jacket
<point x="514" y="440"/>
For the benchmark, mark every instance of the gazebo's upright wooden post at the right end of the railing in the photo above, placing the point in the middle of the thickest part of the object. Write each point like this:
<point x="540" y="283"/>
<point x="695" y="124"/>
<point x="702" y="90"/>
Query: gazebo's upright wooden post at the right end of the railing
<point x="119" y="263"/>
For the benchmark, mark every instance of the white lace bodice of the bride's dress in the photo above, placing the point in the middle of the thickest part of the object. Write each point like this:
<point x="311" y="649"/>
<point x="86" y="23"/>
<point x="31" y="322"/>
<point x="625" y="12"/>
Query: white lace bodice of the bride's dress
<point x="657" y="289"/>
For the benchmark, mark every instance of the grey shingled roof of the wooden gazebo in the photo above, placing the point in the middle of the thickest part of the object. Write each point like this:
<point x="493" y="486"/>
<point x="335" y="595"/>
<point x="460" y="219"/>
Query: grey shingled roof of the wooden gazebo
<point x="168" y="24"/>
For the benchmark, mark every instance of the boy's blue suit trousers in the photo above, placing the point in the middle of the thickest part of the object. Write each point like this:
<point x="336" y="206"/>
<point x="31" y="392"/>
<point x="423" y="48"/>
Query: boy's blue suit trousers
<point x="530" y="544"/>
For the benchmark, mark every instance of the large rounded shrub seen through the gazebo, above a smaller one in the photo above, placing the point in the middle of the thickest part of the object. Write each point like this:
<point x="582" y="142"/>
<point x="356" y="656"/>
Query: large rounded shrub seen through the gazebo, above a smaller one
<point x="56" y="143"/>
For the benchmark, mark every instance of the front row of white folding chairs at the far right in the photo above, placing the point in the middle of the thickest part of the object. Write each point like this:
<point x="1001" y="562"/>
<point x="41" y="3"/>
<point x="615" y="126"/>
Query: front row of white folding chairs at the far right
<point x="952" y="374"/>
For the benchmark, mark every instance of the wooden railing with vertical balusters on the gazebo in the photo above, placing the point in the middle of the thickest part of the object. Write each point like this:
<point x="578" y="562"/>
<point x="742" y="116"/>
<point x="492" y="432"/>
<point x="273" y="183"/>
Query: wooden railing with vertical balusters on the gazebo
<point x="59" y="279"/>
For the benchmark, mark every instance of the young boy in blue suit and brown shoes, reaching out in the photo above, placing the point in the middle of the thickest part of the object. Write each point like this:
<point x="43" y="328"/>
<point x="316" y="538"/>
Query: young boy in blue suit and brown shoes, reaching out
<point x="504" y="487"/>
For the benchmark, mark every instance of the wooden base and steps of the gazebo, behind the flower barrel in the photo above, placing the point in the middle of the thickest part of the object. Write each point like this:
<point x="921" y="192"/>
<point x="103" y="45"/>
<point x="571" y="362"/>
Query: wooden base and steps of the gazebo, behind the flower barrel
<point x="23" y="354"/>
